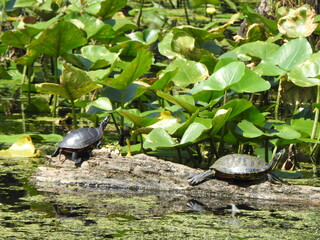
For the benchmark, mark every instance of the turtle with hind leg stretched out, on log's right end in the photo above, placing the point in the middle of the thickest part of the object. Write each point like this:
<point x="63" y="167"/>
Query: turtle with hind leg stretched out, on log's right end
<point x="239" y="166"/>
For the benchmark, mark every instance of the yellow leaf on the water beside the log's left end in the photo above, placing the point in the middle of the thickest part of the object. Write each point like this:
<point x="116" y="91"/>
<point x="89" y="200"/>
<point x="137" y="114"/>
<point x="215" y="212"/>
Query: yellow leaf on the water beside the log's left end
<point x="23" y="147"/>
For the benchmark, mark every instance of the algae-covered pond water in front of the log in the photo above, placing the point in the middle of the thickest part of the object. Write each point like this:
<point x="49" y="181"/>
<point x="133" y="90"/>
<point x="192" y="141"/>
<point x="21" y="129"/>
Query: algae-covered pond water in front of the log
<point x="74" y="213"/>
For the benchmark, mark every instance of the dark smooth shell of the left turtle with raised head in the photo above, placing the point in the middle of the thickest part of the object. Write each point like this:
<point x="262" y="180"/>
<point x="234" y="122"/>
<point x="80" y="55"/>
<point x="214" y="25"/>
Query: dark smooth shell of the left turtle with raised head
<point x="81" y="138"/>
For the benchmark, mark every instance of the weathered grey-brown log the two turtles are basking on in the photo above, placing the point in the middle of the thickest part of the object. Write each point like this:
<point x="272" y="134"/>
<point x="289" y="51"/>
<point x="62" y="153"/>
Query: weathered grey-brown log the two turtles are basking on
<point x="142" y="173"/>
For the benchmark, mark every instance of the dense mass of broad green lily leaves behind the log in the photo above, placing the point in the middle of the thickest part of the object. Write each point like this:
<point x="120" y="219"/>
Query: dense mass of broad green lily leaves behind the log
<point x="181" y="86"/>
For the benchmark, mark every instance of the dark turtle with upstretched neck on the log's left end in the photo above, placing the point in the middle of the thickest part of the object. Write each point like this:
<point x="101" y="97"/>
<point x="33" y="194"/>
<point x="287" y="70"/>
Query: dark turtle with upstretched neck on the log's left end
<point x="81" y="140"/>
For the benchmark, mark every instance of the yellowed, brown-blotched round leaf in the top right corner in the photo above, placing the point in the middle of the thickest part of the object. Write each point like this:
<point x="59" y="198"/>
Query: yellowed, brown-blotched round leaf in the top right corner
<point x="298" y="22"/>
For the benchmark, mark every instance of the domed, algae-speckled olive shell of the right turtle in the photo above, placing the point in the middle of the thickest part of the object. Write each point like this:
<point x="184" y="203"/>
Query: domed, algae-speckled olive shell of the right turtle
<point x="240" y="166"/>
